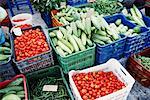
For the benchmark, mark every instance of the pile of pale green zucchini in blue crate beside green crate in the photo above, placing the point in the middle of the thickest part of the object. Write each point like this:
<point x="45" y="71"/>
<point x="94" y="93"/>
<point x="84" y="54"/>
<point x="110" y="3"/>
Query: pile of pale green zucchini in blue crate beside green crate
<point x="103" y="34"/>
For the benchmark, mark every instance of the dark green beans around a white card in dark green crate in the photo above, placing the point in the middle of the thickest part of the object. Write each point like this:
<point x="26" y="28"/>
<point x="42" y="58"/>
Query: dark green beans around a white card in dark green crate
<point x="38" y="94"/>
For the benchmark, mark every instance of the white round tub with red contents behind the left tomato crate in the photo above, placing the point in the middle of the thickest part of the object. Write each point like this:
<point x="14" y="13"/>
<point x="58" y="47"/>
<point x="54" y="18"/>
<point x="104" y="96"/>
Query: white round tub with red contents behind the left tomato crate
<point x="26" y="16"/>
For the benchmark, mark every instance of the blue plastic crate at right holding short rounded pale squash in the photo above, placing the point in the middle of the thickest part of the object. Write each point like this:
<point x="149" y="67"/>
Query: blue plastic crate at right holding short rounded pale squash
<point x="134" y="44"/>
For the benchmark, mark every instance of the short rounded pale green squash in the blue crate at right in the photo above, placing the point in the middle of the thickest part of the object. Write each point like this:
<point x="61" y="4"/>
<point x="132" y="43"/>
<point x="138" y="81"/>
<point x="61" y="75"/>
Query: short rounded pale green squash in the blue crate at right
<point x="122" y="29"/>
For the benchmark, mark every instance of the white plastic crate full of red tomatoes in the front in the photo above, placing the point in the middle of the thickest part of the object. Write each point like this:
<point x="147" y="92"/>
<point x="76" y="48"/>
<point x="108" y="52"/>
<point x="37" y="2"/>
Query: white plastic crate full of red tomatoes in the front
<point x="111" y="65"/>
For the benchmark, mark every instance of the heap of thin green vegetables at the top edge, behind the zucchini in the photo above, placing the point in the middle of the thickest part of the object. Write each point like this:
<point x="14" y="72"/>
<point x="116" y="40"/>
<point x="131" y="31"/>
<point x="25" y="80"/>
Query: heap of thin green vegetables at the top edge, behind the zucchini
<point x="107" y="7"/>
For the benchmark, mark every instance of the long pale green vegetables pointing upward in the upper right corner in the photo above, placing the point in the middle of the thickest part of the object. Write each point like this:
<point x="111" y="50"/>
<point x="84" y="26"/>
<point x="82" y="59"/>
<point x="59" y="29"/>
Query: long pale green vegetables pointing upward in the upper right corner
<point x="134" y="15"/>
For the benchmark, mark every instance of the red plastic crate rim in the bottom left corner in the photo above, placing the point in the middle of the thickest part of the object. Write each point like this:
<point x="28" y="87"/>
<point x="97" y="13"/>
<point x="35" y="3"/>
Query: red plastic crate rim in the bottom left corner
<point x="5" y="83"/>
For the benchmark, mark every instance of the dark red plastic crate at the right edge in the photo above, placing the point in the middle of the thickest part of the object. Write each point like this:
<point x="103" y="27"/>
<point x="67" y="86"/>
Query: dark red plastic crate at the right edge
<point x="137" y="70"/>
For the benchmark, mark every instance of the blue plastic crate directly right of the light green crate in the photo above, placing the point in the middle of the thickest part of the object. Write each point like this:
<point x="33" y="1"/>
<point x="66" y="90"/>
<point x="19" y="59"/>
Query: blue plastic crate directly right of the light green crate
<point x="113" y="50"/>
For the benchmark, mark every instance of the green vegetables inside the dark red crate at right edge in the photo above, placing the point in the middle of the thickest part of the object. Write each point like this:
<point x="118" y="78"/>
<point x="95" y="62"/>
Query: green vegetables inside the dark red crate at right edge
<point x="145" y="61"/>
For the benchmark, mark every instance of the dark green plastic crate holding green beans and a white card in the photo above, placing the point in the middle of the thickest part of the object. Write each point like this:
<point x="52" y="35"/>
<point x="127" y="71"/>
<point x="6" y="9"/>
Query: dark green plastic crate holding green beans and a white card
<point x="54" y="71"/>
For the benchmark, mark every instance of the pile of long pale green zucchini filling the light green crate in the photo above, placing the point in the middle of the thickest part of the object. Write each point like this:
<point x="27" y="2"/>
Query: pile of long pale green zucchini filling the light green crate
<point x="73" y="38"/>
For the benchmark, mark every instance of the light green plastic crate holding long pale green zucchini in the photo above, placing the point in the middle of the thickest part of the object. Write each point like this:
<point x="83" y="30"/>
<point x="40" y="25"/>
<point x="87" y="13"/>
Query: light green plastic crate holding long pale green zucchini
<point x="77" y="60"/>
